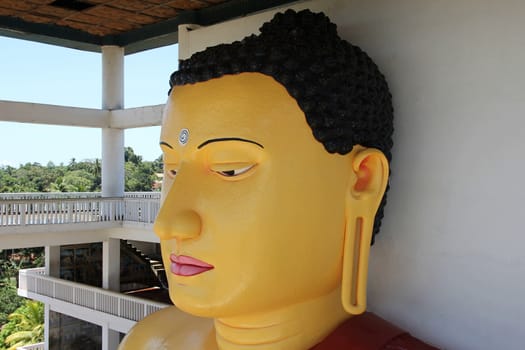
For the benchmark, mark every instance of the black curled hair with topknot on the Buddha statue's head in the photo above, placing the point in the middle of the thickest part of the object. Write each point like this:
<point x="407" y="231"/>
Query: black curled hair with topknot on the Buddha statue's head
<point x="341" y="91"/>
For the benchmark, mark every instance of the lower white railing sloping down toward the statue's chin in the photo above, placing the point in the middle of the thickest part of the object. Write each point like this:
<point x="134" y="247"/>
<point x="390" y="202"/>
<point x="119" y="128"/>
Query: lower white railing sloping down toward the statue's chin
<point x="98" y="299"/>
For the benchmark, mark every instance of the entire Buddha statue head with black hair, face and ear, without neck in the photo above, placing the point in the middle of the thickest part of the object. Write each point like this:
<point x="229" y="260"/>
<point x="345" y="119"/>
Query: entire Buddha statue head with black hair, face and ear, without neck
<point x="276" y="161"/>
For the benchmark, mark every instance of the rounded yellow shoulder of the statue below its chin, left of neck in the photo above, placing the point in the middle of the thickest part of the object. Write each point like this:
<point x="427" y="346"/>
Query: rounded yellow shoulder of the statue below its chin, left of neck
<point x="170" y="328"/>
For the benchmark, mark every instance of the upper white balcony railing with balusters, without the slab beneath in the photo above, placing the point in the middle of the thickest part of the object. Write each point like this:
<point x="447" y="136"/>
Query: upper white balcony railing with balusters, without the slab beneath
<point x="22" y="209"/>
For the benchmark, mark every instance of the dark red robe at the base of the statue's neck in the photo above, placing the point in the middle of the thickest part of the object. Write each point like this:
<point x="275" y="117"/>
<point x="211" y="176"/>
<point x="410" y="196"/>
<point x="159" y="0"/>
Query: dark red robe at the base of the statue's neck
<point x="370" y="332"/>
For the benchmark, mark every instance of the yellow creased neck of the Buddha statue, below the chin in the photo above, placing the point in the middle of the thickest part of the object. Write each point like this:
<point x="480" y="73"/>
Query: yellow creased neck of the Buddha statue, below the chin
<point x="299" y="326"/>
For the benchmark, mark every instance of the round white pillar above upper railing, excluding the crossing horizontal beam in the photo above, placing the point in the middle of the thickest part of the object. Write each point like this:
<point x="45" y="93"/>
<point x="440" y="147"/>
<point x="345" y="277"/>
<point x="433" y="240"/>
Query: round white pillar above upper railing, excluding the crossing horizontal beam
<point x="112" y="139"/>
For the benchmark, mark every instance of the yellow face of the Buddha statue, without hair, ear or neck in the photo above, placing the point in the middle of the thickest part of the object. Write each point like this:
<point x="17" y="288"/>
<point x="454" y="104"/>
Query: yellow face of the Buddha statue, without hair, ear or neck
<point x="253" y="210"/>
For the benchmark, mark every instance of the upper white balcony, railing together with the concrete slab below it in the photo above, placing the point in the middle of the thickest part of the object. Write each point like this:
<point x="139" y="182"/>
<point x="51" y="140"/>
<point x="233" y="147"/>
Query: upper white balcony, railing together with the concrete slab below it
<point x="39" y="219"/>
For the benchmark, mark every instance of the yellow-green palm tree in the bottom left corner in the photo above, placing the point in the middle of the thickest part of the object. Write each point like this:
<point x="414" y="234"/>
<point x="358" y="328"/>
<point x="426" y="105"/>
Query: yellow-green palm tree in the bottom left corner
<point x="30" y="325"/>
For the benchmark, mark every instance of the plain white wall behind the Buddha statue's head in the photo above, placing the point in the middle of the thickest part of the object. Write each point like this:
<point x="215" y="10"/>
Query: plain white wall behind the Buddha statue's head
<point x="449" y="264"/>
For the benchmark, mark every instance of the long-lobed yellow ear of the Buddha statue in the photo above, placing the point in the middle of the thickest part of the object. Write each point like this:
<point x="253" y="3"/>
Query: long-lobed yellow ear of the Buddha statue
<point x="366" y="189"/>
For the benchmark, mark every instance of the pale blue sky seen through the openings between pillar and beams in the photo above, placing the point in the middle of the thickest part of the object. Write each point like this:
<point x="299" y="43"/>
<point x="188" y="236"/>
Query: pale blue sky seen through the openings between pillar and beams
<point x="41" y="73"/>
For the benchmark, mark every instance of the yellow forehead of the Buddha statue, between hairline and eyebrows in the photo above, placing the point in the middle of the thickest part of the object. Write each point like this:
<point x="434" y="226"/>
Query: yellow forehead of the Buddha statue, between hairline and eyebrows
<point x="246" y="105"/>
